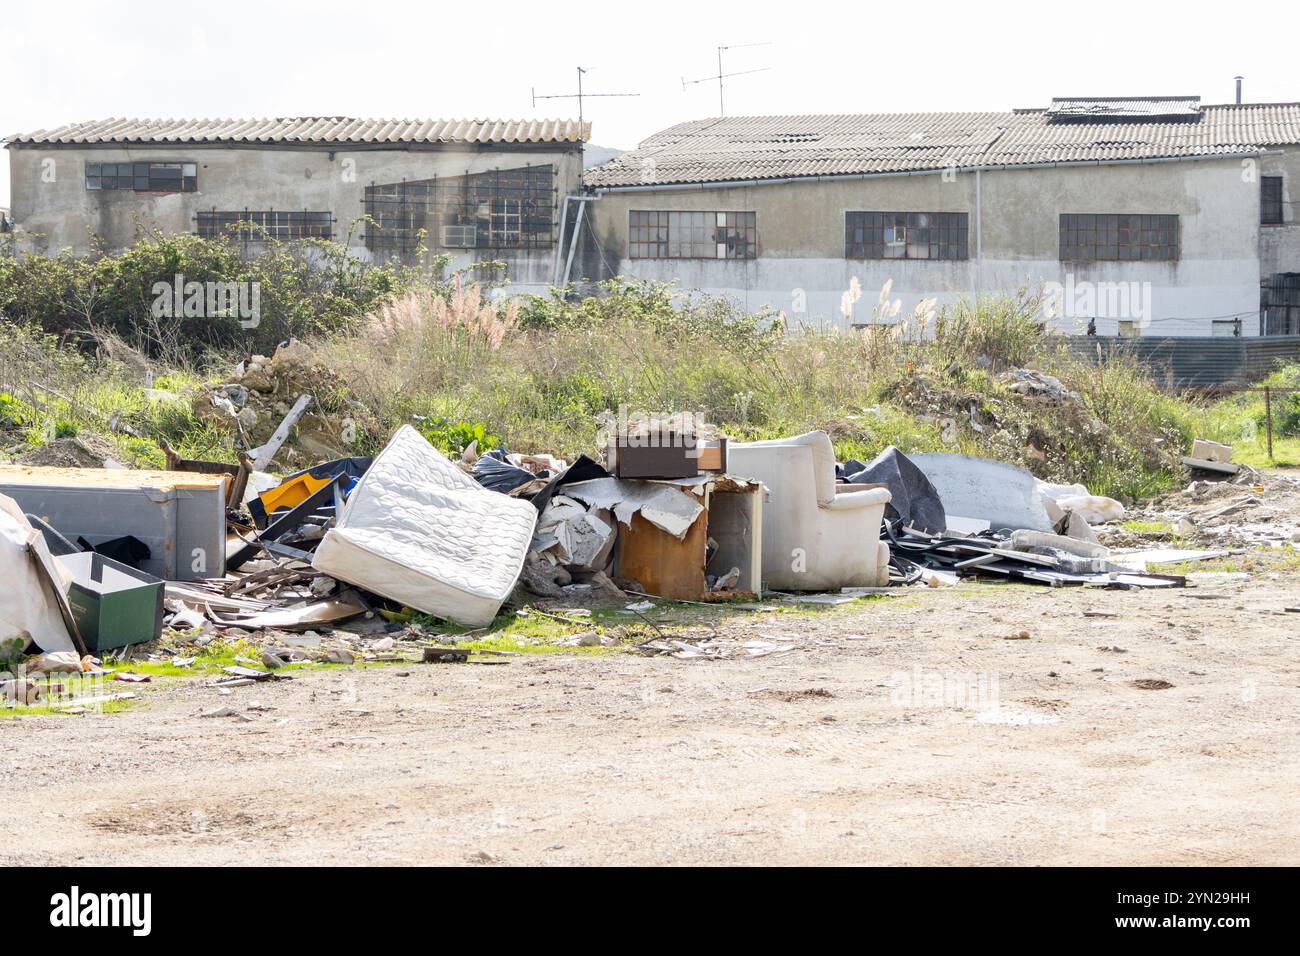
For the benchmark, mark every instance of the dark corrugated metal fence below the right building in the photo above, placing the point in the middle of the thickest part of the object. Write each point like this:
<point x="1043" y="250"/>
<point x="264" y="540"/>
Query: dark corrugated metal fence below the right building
<point x="1188" y="364"/>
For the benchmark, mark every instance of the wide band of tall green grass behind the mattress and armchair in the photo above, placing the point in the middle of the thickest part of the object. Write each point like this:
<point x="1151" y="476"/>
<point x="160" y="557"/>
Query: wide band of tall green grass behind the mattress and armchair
<point x="544" y="384"/>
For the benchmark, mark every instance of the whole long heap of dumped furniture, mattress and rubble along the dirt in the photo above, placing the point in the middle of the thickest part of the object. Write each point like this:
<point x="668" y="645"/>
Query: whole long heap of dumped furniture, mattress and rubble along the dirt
<point x="331" y="561"/>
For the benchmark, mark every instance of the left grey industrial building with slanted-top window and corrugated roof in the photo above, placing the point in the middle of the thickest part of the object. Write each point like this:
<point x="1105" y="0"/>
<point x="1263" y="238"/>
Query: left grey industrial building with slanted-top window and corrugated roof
<point x="471" y="189"/>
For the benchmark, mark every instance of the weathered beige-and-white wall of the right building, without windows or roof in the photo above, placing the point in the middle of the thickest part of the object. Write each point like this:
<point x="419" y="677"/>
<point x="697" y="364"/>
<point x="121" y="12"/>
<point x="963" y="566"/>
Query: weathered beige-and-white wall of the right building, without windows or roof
<point x="1013" y="243"/>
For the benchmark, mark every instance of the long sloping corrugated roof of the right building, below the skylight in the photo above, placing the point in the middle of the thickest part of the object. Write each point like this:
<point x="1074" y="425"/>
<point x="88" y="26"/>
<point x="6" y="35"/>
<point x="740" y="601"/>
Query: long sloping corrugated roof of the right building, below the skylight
<point x="778" y="148"/>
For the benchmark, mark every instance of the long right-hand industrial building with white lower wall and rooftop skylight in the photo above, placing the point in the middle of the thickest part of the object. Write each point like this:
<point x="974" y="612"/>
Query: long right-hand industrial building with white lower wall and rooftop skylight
<point x="1141" y="215"/>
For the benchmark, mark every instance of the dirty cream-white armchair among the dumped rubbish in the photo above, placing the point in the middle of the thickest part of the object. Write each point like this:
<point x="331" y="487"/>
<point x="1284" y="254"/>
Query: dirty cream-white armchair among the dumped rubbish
<point x="817" y="535"/>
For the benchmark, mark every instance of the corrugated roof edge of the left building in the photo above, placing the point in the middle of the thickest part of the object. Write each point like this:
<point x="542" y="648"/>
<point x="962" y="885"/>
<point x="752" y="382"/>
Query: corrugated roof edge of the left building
<point x="311" y="129"/>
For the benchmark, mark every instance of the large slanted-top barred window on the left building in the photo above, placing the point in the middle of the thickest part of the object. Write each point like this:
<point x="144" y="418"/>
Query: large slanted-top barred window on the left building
<point x="504" y="209"/>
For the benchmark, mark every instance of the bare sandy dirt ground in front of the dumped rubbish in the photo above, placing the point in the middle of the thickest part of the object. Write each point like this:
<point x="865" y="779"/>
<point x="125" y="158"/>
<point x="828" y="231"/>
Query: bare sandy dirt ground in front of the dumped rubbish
<point x="904" y="730"/>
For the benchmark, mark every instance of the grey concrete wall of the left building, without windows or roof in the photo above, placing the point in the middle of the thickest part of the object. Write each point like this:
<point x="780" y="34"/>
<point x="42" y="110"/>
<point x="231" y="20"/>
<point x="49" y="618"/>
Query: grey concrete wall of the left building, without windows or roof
<point x="57" y="211"/>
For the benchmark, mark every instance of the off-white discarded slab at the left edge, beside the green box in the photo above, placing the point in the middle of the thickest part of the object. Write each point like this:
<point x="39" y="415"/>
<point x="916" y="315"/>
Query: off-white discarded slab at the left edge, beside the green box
<point x="31" y="609"/>
